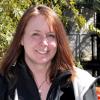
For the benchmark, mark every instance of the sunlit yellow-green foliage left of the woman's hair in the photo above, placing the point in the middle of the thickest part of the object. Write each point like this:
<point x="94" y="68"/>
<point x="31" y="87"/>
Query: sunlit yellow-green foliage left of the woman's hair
<point x="10" y="13"/>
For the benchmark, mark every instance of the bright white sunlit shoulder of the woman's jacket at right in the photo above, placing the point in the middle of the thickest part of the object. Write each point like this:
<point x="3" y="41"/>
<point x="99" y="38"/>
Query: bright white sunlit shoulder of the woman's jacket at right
<point x="82" y="82"/>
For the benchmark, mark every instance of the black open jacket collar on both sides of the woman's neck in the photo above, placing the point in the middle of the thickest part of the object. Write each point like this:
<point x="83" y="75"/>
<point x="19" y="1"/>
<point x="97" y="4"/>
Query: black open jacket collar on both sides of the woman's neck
<point x="27" y="81"/>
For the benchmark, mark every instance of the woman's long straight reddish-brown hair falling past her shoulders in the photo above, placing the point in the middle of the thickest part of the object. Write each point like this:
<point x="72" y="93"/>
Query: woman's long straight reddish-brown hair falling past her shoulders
<point x="63" y="59"/>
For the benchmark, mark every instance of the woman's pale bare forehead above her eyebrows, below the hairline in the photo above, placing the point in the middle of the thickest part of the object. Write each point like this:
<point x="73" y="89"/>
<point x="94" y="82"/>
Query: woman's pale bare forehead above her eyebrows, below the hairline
<point x="38" y="22"/>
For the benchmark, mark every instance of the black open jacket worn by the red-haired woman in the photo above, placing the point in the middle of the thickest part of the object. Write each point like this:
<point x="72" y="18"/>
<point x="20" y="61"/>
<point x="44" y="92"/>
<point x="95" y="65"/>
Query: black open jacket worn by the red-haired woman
<point x="61" y="88"/>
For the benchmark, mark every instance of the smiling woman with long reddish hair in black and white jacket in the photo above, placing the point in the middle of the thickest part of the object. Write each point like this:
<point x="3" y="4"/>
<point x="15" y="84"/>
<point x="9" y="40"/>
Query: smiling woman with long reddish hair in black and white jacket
<point x="39" y="64"/>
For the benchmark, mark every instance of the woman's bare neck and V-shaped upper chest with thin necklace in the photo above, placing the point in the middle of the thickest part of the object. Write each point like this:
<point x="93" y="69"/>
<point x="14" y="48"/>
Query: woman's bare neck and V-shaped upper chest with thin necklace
<point x="41" y="77"/>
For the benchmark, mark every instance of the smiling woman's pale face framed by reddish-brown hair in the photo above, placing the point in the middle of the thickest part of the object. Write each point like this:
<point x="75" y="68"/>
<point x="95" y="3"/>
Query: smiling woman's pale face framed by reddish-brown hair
<point x="39" y="41"/>
